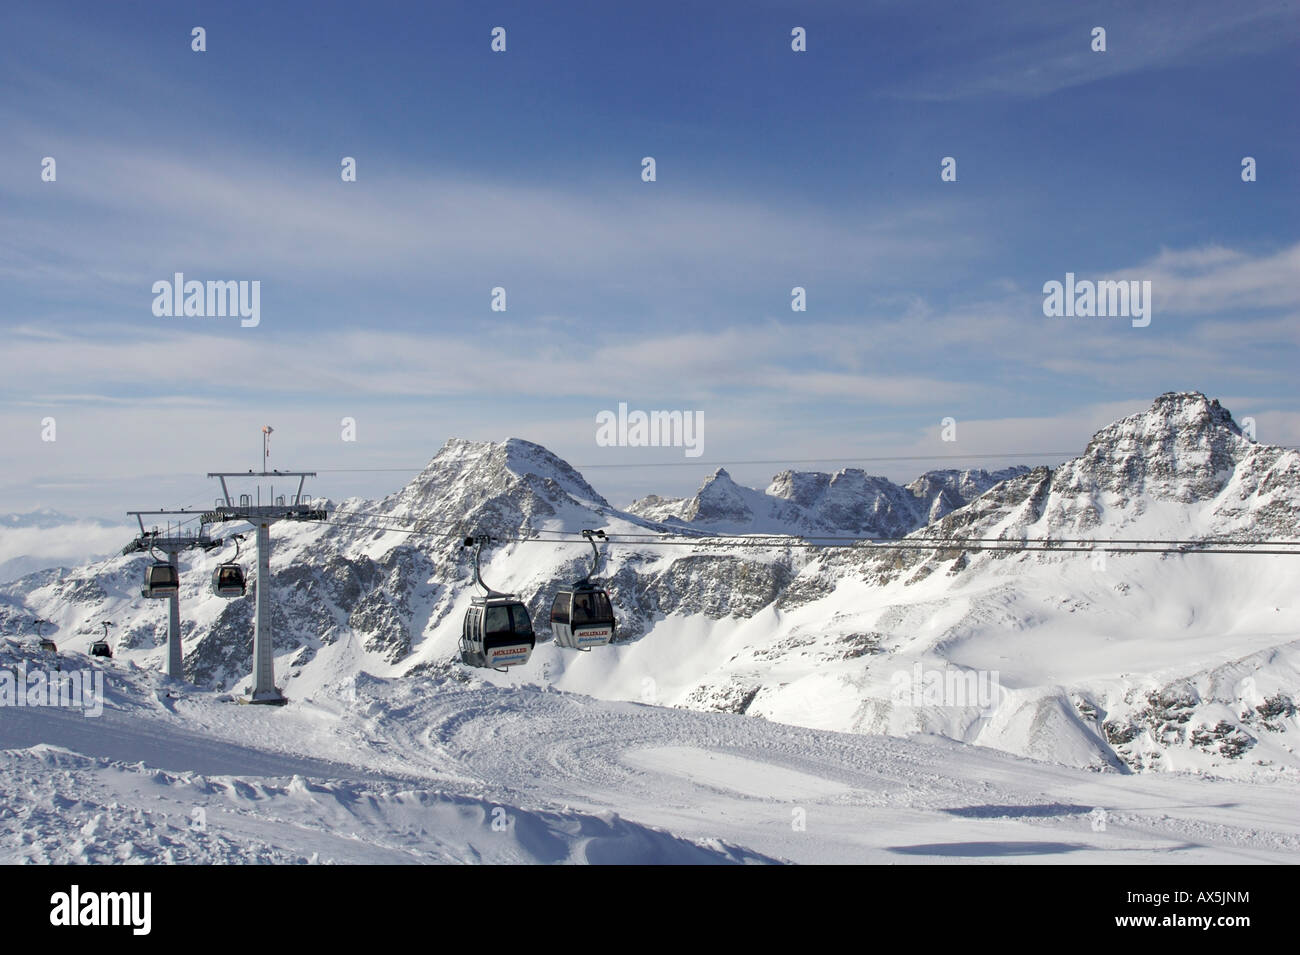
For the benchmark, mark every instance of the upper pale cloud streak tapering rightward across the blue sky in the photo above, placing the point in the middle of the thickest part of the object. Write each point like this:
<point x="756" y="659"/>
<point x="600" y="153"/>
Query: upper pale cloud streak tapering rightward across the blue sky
<point x="298" y="223"/>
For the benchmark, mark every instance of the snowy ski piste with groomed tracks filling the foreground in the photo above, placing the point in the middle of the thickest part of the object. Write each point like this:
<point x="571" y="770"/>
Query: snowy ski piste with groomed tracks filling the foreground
<point x="398" y="771"/>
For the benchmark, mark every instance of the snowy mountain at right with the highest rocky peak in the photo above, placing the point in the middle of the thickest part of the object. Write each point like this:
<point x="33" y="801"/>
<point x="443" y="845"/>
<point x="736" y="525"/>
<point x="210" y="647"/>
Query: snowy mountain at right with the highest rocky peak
<point x="1139" y="661"/>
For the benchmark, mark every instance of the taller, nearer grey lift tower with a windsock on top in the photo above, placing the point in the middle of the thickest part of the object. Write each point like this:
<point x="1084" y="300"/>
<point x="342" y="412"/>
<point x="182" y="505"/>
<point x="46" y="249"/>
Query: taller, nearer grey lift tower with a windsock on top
<point x="262" y="516"/>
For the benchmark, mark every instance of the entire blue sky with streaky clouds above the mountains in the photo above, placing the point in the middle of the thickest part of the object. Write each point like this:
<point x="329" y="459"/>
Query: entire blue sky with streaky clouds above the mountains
<point x="522" y="170"/>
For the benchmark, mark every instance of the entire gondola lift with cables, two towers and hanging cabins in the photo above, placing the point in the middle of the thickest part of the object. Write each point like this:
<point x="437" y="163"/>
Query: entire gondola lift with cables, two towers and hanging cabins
<point x="497" y="631"/>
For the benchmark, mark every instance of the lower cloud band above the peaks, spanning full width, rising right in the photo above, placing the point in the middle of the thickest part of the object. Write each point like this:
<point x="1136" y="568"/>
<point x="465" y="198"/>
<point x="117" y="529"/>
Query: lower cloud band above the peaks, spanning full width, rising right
<point x="887" y="358"/>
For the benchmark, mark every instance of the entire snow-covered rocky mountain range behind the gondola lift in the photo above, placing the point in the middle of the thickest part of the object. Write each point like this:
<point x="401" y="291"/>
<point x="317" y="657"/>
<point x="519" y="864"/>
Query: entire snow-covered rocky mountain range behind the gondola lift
<point x="1117" y="663"/>
